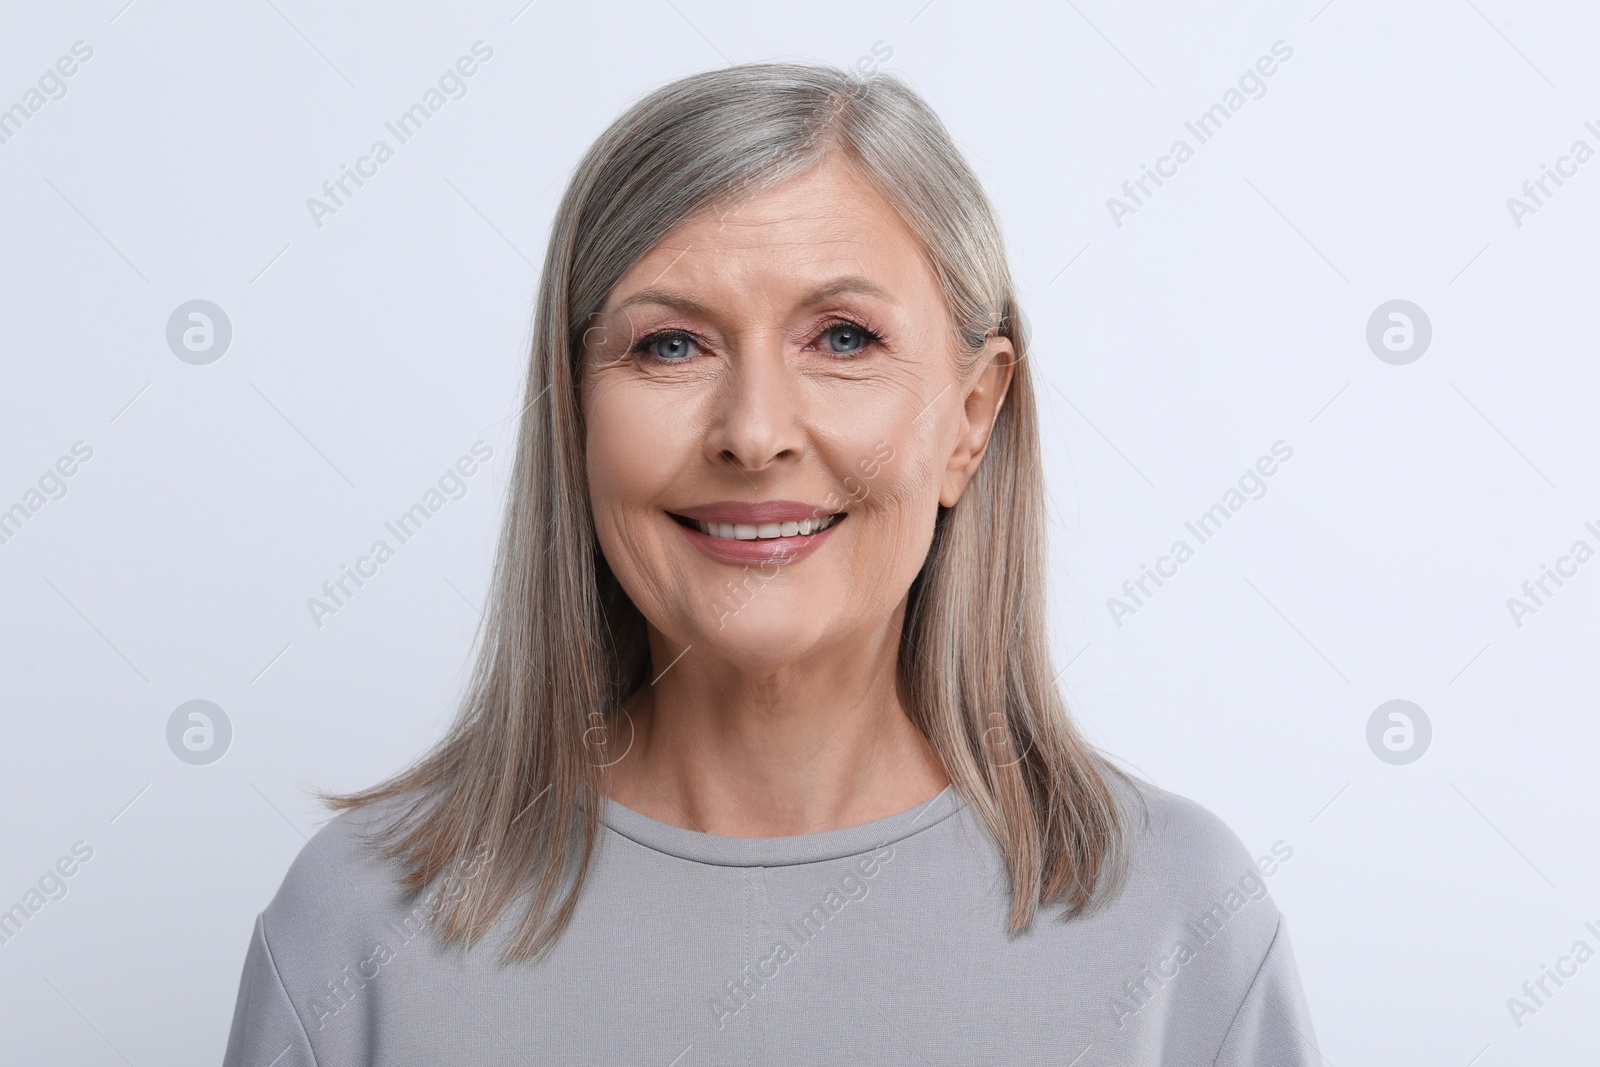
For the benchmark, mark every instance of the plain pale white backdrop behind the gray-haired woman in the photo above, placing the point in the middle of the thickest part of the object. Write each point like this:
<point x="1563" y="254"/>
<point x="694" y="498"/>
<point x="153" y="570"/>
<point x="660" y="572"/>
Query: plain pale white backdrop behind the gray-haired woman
<point x="1226" y="314"/>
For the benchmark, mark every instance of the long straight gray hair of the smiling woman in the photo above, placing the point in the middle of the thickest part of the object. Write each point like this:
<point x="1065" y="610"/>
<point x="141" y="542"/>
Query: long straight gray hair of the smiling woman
<point x="519" y="773"/>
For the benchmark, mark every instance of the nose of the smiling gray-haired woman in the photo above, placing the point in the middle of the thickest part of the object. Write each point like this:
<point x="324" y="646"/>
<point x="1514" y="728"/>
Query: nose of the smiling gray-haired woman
<point x="756" y="415"/>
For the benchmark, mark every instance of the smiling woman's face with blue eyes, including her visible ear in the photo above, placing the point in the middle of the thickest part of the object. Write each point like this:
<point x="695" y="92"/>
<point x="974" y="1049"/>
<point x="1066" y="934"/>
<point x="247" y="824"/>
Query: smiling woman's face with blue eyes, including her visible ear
<point x="774" y="417"/>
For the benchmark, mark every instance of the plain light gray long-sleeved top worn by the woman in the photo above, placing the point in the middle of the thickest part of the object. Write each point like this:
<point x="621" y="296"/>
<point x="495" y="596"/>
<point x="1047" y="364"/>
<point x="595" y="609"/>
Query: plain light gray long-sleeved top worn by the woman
<point x="874" y="945"/>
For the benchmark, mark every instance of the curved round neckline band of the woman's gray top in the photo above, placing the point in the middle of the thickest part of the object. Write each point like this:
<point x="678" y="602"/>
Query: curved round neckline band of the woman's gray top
<point x="778" y="852"/>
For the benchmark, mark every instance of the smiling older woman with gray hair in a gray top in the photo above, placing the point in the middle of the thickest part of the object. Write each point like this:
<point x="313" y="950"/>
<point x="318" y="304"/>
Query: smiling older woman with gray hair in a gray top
<point x="764" y="757"/>
